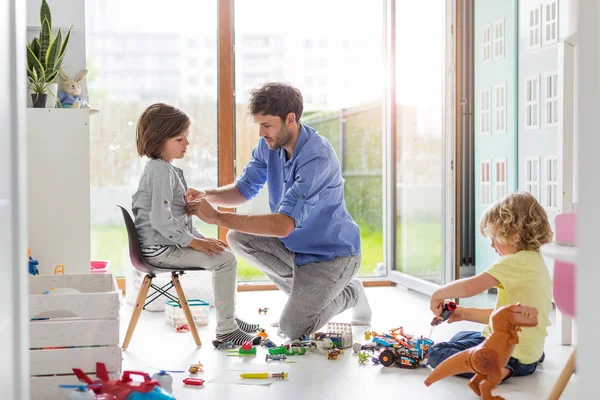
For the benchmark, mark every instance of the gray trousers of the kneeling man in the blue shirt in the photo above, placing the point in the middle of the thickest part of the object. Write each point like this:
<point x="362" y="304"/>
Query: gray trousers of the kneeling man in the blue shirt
<point x="317" y="291"/>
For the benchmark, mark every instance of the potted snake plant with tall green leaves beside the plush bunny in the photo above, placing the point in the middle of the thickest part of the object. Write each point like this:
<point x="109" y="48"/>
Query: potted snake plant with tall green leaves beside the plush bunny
<point x="45" y="54"/>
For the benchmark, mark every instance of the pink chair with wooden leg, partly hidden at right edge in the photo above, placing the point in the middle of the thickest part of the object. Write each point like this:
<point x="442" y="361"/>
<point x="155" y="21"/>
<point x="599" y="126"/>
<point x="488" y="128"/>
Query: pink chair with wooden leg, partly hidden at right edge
<point x="564" y="293"/>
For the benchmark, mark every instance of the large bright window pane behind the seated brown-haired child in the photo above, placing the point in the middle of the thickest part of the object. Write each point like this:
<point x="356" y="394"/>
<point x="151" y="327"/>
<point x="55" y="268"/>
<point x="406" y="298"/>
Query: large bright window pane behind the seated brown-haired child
<point x="140" y="52"/>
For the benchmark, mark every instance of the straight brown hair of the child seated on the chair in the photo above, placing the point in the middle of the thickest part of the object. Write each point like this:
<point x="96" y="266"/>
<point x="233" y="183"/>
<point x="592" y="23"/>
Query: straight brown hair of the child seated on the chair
<point x="158" y="123"/>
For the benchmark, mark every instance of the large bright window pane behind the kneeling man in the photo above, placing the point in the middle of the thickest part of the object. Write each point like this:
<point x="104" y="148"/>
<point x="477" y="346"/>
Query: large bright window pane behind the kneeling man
<point x="334" y="55"/>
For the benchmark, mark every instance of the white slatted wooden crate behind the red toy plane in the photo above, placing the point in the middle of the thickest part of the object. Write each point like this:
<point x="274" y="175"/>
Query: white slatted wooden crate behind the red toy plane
<point x="82" y="328"/>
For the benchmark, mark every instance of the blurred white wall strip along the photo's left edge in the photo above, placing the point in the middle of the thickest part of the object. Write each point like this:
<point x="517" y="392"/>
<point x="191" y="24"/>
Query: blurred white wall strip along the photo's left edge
<point x="14" y="332"/>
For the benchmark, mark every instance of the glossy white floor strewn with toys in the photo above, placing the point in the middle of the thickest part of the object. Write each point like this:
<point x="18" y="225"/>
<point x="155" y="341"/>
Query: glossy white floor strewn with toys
<point x="157" y="345"/>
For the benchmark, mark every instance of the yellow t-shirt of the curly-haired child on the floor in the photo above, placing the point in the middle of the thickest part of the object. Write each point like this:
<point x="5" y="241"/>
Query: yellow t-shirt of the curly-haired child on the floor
<point x="524" y="279"/>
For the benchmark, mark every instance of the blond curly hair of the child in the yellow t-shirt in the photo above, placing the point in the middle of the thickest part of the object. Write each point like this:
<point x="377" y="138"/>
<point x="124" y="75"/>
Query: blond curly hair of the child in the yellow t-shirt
<point x="517" y="220"/>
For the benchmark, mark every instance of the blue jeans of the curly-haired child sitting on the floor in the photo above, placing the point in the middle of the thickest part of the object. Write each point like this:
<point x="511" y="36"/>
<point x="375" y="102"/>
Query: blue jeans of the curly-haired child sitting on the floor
<point x="467" y="339"/>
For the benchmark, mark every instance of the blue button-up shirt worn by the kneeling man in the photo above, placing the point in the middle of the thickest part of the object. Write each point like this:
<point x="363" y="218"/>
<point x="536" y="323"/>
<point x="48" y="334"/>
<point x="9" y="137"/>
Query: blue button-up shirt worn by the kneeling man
<point x="310" y="189"/>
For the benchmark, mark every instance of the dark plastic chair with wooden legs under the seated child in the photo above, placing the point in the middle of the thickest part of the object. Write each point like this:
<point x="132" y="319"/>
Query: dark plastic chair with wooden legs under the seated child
<point x="143" y="299"/>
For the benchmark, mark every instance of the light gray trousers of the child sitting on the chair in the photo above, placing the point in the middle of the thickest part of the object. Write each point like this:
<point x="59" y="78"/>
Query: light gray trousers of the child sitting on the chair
<point x="224" y="272"/>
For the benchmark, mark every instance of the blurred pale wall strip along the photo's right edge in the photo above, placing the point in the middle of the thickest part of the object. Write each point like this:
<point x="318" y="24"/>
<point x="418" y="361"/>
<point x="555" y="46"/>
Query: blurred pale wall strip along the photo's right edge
<point x="588" y="213"/>
